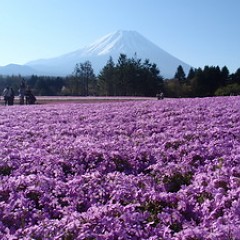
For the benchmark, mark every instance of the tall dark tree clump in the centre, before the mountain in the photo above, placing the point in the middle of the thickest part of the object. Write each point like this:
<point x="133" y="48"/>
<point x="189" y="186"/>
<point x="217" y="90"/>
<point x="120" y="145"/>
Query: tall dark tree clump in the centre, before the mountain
<point x="130" y="77"/>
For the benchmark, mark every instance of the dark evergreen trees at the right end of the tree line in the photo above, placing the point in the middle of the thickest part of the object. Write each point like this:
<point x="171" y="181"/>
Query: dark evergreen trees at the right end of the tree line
<point x="206" y="82"/>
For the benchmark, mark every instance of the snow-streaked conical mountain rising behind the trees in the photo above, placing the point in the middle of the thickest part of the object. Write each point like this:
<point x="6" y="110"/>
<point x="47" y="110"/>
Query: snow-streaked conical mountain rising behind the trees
<point x="98" y="53"/>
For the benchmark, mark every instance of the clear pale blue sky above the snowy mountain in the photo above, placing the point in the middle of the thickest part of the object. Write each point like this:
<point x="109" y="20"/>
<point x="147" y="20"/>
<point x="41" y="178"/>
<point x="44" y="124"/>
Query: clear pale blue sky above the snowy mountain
<point x="199" y="32"/>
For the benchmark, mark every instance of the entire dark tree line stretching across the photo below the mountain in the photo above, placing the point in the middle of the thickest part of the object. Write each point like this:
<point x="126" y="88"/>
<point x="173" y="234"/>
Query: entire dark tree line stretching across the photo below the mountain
<point x="132" y="77"/>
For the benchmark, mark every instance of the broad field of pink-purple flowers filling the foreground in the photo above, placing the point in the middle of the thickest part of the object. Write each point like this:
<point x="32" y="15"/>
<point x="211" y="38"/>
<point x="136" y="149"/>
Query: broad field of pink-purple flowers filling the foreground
<point x="152" y="169"/>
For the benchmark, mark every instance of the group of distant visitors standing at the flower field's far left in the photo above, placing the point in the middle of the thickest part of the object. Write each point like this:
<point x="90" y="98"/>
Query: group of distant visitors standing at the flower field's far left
<point x="25" y="95"/>
